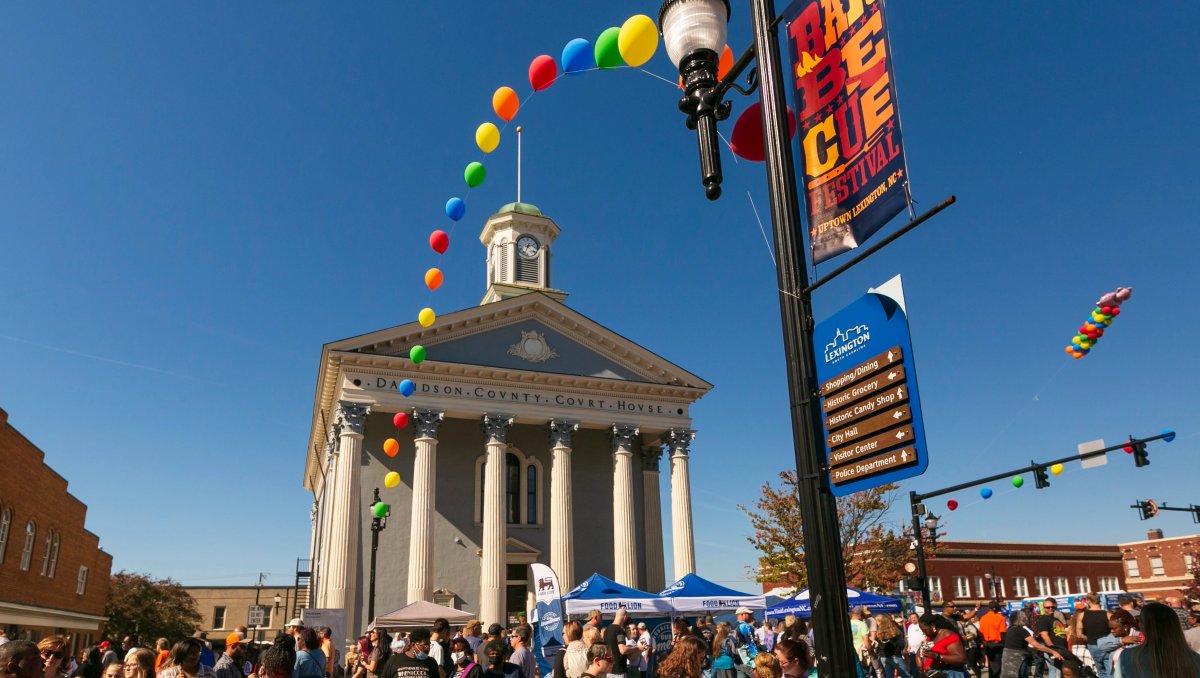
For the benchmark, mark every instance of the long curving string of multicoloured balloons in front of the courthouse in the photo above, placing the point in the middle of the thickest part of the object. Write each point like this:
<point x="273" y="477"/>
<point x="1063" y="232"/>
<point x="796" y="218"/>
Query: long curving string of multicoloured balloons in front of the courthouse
<point x="631" y="45"/>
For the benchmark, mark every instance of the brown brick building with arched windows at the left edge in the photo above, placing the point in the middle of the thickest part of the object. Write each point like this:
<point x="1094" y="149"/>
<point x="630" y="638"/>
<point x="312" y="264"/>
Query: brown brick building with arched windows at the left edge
<point x="53" y="574"/>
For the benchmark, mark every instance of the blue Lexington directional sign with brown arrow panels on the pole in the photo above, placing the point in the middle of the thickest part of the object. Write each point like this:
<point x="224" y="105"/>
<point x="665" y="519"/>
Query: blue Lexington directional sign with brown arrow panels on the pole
<point x="871" y="409"/>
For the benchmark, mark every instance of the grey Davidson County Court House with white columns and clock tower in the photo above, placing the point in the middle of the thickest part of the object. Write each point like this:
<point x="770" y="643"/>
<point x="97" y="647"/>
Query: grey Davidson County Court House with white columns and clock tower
<point x="537" y="435"/>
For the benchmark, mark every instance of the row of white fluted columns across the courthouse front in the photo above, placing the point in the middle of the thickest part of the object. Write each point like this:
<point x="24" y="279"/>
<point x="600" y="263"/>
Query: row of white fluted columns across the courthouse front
<point x="341" y="512"/>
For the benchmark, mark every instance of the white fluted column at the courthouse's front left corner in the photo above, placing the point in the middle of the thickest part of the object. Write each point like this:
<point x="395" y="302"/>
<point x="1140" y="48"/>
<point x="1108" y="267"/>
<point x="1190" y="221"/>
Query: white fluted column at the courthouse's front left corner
<point x="346" y="537"/>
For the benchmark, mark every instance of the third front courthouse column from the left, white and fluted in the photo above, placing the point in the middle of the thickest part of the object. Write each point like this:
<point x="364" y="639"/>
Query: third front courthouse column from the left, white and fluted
<point x="491" y="579"/>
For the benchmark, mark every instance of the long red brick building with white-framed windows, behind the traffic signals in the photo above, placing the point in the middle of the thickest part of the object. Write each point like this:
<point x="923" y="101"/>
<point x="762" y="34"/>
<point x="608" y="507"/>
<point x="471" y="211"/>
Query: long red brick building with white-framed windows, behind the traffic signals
<point x="970" y="572"/>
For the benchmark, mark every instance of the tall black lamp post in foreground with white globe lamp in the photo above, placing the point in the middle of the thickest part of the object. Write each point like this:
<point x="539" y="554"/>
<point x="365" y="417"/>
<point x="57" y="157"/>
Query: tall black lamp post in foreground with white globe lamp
<point x="694" y="34"/>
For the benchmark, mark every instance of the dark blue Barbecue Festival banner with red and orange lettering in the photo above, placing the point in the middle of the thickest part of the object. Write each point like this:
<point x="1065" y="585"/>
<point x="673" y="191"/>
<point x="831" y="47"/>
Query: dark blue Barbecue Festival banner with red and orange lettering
<point x="855" y="178"/>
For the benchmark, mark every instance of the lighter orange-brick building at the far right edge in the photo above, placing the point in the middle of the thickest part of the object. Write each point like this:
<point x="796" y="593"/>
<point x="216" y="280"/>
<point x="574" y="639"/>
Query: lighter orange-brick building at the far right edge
<point x="1159" y="567"/>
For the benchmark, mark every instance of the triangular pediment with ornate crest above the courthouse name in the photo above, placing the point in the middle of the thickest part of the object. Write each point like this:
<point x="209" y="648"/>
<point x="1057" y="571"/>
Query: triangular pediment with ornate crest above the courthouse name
<point x="532" y="333"/>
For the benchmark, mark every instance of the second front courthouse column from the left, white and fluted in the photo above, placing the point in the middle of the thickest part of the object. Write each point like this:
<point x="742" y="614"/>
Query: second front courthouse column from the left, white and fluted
<point x="421" y="541"/>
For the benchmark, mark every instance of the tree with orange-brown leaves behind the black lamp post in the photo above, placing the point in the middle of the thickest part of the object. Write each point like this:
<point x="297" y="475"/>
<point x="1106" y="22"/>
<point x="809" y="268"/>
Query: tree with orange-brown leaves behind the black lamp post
<point x="873" y="551"/>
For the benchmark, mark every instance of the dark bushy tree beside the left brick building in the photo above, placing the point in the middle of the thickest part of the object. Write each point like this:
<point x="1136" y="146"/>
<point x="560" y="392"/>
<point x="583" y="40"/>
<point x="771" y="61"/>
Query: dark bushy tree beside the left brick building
<point x="151" y="609"/>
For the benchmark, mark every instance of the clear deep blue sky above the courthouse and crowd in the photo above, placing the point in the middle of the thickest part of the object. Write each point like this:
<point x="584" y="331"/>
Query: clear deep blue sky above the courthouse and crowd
<point x="196" y="197"/>
